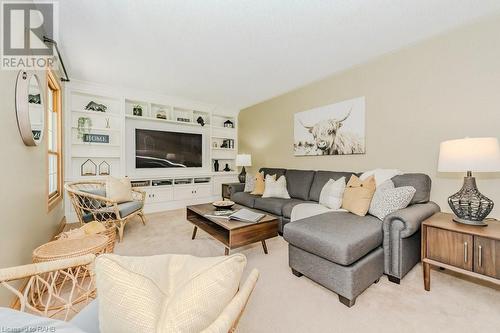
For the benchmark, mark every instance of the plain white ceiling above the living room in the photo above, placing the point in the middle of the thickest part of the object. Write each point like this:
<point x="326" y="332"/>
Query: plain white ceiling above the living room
<point x="238" y="53"/>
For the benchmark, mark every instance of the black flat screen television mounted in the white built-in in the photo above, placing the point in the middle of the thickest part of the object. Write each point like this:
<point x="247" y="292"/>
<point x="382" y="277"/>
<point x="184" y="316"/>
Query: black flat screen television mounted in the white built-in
<point x="160" y="149"/>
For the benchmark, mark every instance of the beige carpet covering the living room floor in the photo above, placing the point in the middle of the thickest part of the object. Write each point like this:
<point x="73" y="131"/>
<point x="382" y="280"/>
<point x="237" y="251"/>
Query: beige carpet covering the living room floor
<point x="282" y="302"/>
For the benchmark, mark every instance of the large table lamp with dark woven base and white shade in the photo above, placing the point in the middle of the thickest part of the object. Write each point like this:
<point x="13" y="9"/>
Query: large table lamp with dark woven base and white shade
<point x="470" y="155"/>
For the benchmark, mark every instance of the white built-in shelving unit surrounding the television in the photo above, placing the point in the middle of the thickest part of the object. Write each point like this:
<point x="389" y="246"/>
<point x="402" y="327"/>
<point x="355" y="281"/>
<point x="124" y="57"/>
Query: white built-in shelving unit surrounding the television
<point x="177" y="187"/>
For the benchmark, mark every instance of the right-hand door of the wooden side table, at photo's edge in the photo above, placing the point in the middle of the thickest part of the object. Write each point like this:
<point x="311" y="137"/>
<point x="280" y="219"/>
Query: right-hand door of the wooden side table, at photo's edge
<point x="487" y="256"/>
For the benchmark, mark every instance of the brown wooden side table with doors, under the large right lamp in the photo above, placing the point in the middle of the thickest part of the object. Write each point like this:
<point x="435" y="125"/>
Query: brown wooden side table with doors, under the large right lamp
<point x="471" y="250"/>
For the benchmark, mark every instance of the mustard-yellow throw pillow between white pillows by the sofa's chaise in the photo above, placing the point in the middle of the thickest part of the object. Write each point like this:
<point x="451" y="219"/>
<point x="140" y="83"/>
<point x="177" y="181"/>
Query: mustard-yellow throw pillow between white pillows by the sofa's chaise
<point x="358" y="195"/>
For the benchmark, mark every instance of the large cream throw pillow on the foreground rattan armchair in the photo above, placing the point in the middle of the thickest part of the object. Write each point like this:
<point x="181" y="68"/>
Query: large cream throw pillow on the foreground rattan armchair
<point x="164" y="293"/>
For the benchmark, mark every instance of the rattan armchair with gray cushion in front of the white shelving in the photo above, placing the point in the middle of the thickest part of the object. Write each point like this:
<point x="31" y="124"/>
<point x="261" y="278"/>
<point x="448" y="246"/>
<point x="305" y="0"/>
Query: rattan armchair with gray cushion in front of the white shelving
<point x="90" y="203"/>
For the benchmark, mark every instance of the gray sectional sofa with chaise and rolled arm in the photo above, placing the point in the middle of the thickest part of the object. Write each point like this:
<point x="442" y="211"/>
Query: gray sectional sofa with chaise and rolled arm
<point x="344" y="252"/>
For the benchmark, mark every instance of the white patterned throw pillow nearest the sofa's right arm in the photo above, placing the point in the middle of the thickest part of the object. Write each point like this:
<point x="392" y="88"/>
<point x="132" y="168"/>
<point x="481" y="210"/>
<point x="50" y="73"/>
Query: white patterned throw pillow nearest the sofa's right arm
<point x="388" y="199"/>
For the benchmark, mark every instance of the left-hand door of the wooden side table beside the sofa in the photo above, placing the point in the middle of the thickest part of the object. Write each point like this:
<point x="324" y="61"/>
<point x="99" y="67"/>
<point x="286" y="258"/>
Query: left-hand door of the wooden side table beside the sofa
<point x="449" y="247"/>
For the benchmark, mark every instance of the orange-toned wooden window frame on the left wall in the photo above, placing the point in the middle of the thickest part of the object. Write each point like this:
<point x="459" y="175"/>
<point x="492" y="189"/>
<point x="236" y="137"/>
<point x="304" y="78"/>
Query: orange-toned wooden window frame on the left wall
<point x="53" y="87"/>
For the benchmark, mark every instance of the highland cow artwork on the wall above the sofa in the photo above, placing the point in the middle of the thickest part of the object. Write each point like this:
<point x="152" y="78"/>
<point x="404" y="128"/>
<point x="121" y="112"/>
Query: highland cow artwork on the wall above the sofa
<point x="335" y="129"/>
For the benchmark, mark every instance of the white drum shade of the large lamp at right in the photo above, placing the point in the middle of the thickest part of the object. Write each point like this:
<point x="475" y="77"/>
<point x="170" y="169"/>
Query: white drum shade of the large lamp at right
<point x="469" y="154"/>
